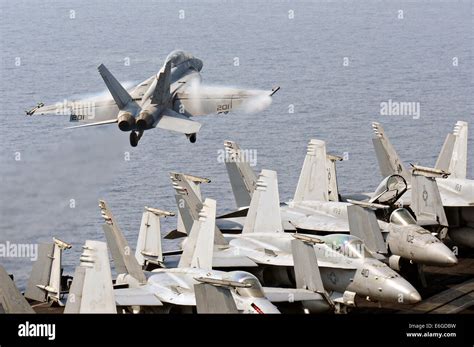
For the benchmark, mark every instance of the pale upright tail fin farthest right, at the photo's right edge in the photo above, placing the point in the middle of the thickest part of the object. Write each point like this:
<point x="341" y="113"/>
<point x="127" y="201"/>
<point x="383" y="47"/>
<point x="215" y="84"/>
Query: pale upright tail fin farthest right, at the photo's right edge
<point x="458" y="162"/>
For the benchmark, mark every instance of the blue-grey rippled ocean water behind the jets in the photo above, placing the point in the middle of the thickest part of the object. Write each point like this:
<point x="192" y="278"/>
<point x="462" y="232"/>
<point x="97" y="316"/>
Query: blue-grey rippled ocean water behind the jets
<point x="50" y="50"/>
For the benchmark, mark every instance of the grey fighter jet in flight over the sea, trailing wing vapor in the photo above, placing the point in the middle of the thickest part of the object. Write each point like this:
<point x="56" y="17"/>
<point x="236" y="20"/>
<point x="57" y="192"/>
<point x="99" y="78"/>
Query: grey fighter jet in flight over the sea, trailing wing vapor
<point x="166" y="100"/>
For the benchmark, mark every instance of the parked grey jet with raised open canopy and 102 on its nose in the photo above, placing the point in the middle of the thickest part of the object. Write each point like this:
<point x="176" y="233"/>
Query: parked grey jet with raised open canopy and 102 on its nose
<point x="316" y="208"/>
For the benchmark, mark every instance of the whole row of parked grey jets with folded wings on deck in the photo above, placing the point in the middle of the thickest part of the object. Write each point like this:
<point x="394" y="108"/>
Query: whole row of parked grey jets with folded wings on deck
<point x="320" y="252"/>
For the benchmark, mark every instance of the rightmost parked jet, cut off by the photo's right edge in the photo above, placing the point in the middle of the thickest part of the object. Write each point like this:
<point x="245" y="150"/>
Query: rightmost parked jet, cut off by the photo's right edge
<point x="456" y="192"/>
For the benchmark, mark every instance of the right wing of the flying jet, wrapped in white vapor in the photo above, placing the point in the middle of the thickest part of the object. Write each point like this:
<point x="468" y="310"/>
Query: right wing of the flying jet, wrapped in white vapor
<point x="199" y="100"/>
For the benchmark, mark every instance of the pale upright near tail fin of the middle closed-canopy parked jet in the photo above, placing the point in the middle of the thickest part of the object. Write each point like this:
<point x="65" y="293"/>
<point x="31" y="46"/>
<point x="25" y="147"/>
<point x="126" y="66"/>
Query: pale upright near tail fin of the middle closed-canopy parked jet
<point x="264" y="211"/>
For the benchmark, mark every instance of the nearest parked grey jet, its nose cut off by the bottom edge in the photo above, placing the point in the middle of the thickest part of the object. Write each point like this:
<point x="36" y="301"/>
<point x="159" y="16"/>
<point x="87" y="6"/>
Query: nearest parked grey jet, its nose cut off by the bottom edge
<point x="171" y="289"/>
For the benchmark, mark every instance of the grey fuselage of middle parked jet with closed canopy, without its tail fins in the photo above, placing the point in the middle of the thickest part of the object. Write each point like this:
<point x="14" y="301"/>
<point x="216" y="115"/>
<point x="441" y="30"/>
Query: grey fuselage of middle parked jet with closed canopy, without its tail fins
<point x="359" y="273"/>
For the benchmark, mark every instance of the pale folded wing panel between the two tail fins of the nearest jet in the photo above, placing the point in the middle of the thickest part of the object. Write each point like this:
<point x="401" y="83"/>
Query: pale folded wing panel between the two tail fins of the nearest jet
<point x="148" y="252"/>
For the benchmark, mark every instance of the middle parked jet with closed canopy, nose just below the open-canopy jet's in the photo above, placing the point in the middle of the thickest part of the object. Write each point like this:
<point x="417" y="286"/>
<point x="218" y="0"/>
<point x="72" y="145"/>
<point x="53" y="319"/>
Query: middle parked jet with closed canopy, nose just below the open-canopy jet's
<point x="347" y="267"/>
